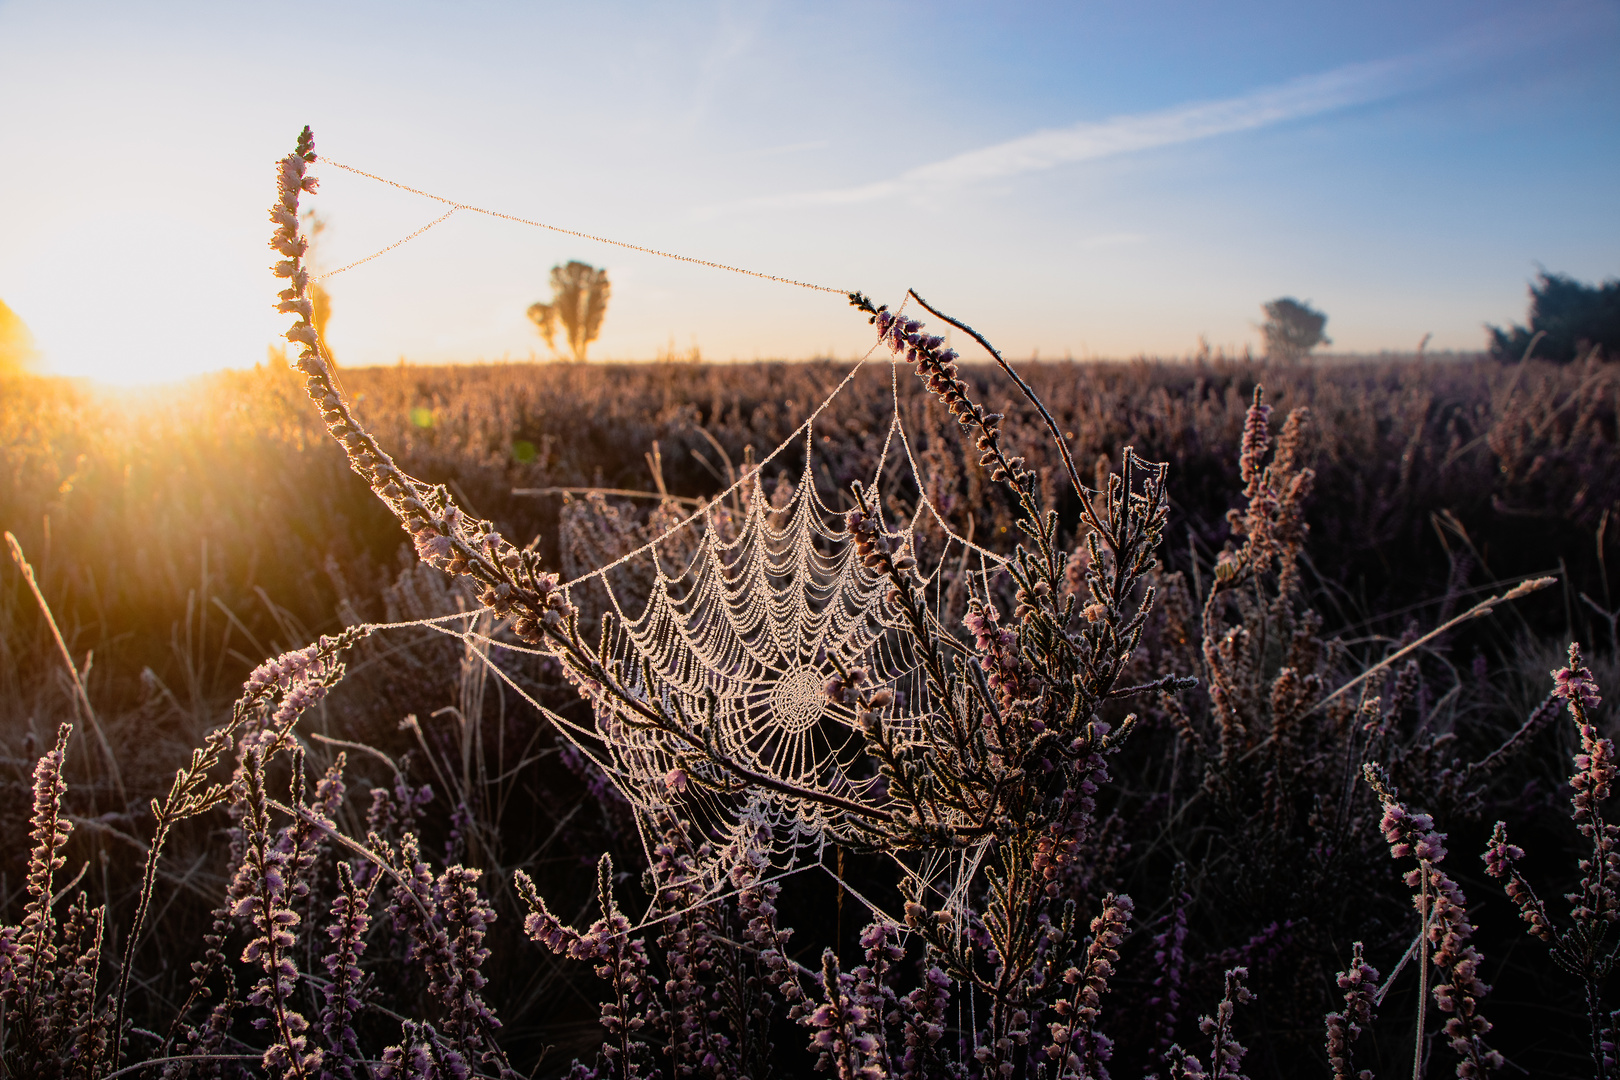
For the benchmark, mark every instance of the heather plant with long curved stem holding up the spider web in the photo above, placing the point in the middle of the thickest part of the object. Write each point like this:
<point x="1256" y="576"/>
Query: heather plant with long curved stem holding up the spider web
<point x="1008" y="762"/>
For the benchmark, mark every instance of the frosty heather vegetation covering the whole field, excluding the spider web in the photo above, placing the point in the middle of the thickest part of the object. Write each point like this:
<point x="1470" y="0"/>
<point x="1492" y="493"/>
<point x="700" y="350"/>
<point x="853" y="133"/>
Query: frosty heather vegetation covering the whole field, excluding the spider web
<point x="1273" y="853"/>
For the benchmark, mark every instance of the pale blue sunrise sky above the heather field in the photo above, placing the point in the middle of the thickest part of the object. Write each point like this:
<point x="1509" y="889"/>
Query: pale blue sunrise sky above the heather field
<point x="1080" y="179"/>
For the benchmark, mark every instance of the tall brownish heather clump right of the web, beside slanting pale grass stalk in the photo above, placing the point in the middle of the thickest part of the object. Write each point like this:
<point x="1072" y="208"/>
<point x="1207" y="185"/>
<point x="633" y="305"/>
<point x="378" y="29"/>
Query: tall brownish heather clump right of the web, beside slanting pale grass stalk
<point x="1284" y="734"/>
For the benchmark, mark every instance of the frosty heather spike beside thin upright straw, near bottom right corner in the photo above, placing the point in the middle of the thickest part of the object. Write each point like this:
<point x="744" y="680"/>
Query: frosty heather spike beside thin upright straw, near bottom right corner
<point x="1446" y="929"/>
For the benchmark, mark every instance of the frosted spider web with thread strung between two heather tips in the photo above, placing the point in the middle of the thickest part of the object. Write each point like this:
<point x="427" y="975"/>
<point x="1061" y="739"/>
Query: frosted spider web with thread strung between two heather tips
<point x="744" y="627"/>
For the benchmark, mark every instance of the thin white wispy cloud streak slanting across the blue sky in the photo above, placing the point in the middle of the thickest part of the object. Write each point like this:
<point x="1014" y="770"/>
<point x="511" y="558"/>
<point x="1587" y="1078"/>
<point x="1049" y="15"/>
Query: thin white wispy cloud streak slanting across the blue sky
<point x="1341" y="88"/>
